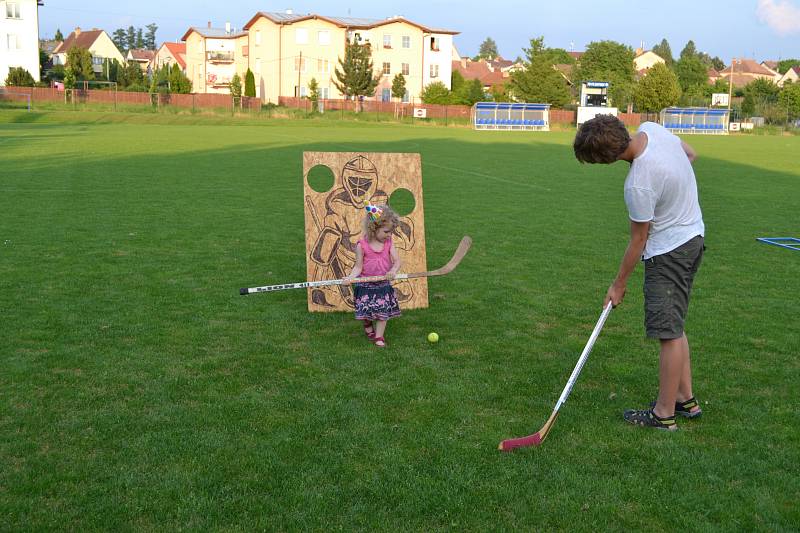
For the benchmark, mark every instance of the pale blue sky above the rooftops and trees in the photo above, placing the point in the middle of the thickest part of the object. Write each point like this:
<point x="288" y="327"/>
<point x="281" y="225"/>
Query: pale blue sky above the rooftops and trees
<point x="758" y="29"/>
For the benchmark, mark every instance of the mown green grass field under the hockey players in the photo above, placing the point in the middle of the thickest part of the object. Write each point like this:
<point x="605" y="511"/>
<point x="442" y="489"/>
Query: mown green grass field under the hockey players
<point x="139" y="391"/>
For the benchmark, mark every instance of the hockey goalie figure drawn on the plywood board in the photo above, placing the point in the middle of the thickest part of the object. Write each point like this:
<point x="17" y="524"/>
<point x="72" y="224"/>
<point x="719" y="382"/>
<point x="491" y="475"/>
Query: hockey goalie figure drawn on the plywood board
<point x="334" y="250"/>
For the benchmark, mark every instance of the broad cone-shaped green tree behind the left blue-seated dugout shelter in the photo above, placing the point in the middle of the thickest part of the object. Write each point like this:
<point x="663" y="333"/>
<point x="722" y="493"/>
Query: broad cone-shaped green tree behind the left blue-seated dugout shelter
<point x="539" y="81"/>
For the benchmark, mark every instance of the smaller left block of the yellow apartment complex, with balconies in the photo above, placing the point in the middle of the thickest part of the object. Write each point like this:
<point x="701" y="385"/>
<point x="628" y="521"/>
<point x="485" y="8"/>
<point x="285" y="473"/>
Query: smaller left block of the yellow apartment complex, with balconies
<point x="213" y="56"/>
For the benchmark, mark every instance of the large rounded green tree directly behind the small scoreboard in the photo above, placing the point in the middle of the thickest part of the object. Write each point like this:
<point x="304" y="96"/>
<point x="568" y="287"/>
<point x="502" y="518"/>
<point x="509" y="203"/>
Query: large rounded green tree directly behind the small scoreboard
<point x="612" y="62"/>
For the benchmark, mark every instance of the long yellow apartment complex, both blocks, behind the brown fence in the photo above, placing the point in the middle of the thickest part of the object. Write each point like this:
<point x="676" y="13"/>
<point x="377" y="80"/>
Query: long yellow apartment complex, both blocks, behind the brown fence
<point x="285" y="51"/>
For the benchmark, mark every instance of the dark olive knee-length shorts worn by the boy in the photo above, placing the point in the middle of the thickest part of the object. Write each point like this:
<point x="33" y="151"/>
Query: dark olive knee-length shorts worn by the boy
<point x="668" y="282"/>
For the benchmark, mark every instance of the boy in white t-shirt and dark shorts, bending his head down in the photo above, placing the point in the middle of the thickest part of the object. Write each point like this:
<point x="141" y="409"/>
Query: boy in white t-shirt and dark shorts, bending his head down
<point x="667" y="234"/>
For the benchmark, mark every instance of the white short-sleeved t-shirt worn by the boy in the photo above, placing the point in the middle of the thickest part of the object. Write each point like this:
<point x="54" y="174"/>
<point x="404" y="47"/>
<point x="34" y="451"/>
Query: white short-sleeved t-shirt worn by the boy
<point x="661" y="188"/>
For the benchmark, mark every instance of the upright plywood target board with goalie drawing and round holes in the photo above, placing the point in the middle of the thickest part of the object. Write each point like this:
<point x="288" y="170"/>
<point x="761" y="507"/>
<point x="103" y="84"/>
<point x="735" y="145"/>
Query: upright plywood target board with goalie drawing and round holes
<point x="335" y="210"/>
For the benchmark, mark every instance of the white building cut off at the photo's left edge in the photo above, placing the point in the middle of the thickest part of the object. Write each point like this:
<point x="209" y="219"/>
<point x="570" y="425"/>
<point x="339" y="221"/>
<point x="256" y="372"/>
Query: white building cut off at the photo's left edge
<point x="19" y="37"/>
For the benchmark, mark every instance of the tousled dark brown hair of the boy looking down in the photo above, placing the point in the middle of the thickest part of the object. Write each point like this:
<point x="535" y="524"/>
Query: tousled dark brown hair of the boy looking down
<point x="601" y="140"/>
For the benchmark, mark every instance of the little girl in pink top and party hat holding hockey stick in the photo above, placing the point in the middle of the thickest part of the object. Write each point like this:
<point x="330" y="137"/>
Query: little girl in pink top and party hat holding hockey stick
<point x="376" y="302"/>
